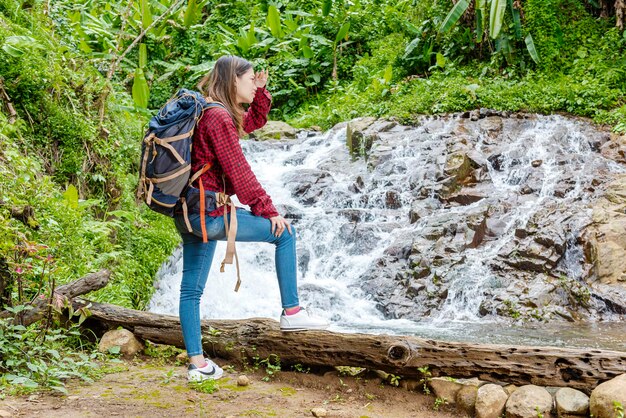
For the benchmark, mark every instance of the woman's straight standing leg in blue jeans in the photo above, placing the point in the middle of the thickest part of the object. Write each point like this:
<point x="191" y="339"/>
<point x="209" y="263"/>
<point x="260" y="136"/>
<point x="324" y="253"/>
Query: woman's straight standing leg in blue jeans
<point x="197" y="258"/>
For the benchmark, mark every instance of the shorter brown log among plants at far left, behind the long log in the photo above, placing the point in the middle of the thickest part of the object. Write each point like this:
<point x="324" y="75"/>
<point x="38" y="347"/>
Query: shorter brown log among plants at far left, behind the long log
<point x="84" y="285"/>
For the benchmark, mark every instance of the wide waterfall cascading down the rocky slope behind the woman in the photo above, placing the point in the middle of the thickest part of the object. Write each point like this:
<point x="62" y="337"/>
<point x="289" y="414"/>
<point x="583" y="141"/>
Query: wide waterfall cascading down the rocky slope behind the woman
<point x="350" y="212"/>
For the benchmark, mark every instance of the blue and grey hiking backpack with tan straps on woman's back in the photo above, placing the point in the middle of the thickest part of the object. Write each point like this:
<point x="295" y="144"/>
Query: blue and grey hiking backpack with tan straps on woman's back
<point x="165" y="168"/>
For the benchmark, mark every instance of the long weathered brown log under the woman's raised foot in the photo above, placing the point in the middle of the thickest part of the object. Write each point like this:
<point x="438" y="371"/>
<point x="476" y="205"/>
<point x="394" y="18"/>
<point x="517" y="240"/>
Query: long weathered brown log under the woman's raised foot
<point x="401" y="355"/>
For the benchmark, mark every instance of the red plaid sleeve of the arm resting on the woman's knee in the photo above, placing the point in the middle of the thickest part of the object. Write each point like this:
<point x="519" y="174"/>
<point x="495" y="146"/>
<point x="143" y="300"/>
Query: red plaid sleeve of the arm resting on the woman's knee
<point x="234" y="165"/>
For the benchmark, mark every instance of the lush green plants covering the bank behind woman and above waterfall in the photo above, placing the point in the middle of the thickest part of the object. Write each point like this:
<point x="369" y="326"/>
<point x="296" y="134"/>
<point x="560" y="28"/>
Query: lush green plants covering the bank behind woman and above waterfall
<point x="329" y="61"/>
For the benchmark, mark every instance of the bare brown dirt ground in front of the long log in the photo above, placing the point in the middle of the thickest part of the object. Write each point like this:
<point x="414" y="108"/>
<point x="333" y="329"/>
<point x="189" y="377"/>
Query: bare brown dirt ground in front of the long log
<point x="156" y="388"/>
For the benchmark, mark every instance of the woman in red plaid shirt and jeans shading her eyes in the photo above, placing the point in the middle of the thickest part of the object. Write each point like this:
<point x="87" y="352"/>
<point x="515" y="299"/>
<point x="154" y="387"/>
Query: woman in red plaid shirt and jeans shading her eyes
<point x="231" y="83"/>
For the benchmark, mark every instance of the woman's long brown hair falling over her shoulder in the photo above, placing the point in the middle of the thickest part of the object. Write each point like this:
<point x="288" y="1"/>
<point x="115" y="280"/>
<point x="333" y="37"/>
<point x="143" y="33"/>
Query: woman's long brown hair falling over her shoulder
<point x="219" y="85"/>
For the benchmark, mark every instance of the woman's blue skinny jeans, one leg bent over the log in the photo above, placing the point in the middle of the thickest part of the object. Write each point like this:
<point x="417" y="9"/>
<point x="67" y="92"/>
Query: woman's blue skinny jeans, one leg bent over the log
<point x="198" y="256"/>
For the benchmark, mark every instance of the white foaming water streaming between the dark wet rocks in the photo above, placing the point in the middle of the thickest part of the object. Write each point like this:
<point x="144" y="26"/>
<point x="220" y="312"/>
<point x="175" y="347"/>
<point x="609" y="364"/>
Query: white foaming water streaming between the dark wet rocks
<point x="329" y="282"/>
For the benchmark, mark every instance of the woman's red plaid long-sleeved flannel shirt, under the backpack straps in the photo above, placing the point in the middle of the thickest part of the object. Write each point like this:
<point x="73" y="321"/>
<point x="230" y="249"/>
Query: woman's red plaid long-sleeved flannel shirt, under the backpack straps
<point x="216" y="142"/>
